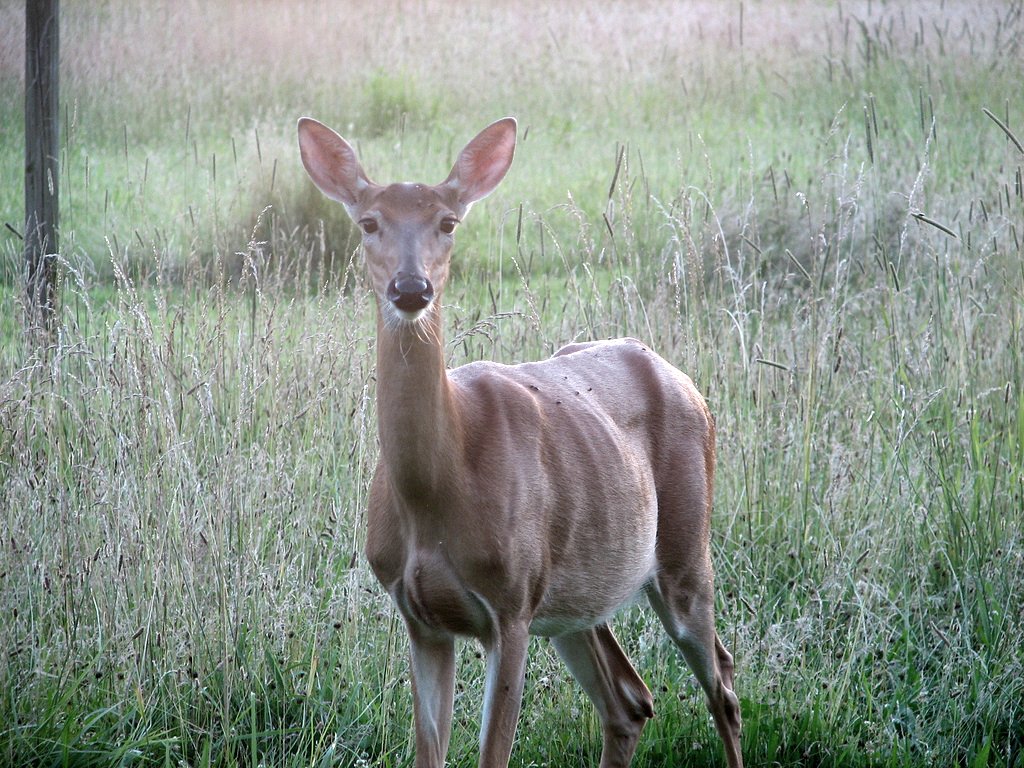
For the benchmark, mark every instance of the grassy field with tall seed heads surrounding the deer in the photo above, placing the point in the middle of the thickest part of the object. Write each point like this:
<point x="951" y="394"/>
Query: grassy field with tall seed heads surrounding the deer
<point x="816" y="209"/>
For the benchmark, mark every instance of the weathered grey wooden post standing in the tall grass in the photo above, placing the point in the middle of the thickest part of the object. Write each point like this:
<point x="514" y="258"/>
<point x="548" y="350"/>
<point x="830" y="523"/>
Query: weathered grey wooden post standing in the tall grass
<point x="42" y="166"/>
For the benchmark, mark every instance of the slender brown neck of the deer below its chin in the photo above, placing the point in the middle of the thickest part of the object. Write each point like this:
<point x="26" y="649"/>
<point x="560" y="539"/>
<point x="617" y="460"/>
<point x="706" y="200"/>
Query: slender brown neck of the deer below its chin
<point x="417" y="419"/>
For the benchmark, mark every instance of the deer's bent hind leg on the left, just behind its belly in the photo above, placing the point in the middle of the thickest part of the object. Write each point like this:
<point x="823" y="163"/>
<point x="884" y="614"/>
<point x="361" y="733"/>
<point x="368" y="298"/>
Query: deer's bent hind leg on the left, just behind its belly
<point x="622" y="700"/>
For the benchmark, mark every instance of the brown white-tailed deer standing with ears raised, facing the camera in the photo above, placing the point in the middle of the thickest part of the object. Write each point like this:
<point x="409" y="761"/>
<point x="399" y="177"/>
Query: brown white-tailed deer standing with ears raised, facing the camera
<point x="532" y="499"/>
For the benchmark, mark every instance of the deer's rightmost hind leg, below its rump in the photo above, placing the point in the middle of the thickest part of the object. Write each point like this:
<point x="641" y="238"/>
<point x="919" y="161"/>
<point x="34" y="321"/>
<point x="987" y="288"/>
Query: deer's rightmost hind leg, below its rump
<point x="689" y="617"/>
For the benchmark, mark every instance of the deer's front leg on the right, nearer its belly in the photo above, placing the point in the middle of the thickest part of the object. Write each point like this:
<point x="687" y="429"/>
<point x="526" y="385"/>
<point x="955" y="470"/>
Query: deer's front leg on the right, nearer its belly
<point x="503" y="695"/>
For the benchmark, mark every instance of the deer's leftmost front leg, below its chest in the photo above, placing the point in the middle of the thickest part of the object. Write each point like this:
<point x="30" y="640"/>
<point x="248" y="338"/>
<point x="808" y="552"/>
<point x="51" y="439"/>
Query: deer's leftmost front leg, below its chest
<point x="433" y="662"/>
